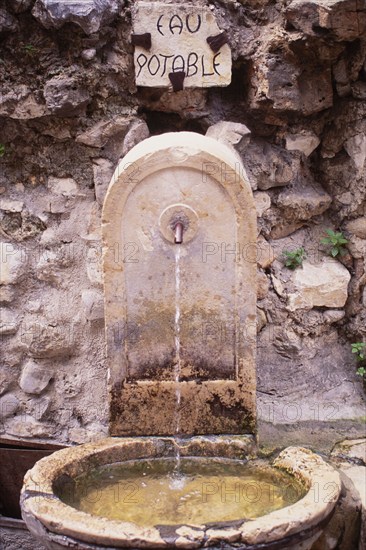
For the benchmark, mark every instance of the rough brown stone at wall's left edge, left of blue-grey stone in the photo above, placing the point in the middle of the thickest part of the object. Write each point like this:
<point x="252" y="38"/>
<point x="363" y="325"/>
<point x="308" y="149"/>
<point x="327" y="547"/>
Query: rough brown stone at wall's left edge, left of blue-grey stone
<point x="21" y="104"/>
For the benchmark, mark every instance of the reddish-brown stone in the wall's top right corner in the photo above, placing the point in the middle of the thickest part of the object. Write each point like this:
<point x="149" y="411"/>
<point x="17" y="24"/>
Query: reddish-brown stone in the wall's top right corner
<point x="339" y="19"/>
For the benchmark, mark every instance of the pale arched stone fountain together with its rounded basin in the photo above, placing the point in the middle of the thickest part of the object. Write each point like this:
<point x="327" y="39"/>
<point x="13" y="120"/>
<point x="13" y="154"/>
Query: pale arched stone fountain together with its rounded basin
<point x="179" y="230"/>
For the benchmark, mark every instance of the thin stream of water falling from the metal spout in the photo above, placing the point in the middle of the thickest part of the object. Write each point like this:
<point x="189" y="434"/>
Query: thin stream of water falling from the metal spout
<point x="177" y="352"/>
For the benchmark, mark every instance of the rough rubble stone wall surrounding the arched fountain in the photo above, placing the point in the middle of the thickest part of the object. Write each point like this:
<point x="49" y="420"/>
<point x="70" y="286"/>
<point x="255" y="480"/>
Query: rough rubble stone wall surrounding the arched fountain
<point x="69" y="109"/>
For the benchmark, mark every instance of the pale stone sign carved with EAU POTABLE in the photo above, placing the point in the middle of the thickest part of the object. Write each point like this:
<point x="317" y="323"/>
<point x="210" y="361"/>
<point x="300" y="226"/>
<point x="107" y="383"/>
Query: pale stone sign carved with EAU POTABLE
<point x="179" y="44"/>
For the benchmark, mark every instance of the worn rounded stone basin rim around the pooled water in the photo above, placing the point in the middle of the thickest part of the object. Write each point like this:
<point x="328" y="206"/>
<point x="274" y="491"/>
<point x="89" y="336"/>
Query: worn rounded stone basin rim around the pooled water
<point x="58" y="525"/>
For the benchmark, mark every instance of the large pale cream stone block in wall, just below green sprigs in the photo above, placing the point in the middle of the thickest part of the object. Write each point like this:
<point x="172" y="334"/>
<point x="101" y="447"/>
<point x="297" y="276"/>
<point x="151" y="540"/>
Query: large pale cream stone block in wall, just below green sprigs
<point x="323" y="284"/>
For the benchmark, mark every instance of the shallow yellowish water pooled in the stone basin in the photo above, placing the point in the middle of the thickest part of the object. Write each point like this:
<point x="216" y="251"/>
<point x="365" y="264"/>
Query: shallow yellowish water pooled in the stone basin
<point x="152" y="492"/>
